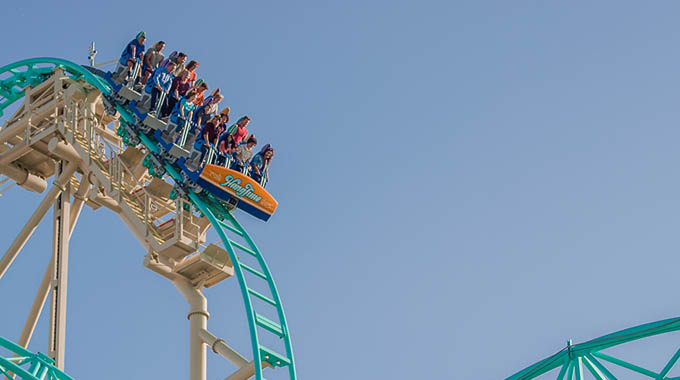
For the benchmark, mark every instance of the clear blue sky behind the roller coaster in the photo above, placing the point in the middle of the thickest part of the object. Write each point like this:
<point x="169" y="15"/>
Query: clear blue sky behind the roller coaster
<point x="463" y="185"/>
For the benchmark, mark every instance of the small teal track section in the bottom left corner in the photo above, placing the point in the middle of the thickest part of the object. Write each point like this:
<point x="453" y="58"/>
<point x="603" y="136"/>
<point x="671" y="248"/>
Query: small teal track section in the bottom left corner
<point x="26" y="365"/>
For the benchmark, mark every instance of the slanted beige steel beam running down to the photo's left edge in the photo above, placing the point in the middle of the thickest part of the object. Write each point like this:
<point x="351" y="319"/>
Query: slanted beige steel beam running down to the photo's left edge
<point x="35" y="219"/>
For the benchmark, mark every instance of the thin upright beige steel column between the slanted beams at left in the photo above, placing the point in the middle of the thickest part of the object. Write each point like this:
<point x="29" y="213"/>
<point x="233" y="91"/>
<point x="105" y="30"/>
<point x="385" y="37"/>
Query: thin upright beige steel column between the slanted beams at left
<point x="57" y="330"/>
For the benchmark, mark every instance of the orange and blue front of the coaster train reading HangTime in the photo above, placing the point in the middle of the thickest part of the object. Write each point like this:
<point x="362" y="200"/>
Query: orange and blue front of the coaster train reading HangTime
<point x="231" y="186"/>
